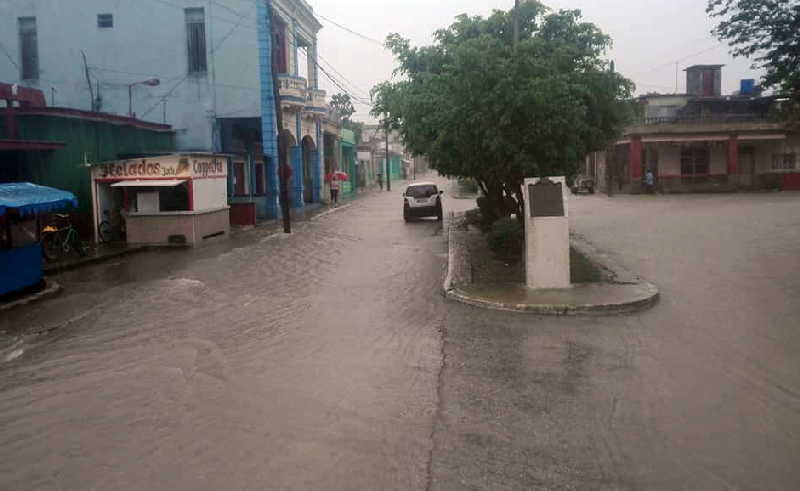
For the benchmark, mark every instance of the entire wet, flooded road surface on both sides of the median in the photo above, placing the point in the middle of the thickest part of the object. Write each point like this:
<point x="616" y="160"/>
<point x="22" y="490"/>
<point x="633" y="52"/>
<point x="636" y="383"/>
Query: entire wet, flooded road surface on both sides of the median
<point x="329" y="360"/>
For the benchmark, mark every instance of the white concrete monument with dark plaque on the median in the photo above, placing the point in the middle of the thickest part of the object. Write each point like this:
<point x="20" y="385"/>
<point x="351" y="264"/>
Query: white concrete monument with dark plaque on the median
<point x="546" y="233"/>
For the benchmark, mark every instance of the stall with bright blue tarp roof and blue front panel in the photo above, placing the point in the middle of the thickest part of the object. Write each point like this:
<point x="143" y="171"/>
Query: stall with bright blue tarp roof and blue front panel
<point x="21" y="260"/>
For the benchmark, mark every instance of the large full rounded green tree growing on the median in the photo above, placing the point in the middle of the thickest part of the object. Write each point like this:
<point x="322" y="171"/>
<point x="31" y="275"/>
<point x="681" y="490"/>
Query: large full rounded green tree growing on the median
<point x="479" y="106"/>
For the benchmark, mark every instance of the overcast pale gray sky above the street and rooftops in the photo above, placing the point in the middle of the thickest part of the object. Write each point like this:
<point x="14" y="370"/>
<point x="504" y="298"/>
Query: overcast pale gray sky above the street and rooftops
<point x="649" y="37"/>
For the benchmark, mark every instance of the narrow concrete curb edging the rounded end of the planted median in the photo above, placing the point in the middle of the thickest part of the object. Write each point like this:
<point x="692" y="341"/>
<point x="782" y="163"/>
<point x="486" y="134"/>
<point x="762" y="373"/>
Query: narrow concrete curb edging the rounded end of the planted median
<point x="642" y="294"/>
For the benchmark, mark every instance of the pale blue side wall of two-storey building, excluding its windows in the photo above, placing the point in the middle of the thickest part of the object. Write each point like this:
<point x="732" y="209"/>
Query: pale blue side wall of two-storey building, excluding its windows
<point x="148" y="40"/>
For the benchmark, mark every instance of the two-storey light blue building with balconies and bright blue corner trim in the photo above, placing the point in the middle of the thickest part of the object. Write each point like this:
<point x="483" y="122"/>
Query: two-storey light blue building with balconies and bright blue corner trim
<point x="205" y="68"/>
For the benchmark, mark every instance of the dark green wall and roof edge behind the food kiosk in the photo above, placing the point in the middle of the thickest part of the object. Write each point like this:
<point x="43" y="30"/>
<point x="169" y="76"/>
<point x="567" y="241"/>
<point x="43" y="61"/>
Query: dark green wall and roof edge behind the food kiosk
<point x="86" y="141"/>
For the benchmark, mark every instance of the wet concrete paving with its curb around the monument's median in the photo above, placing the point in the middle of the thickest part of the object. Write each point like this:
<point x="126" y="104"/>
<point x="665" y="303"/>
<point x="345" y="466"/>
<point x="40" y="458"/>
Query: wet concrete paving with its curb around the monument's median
<point x="471" y="281"/>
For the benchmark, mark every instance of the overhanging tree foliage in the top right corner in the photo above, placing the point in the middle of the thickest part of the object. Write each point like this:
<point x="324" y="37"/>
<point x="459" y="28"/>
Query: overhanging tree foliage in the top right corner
<point x="768" y="31"/>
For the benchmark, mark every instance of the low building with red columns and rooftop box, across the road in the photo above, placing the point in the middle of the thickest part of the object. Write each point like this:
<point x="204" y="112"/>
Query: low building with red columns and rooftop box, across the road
<point x="701" y="141"/>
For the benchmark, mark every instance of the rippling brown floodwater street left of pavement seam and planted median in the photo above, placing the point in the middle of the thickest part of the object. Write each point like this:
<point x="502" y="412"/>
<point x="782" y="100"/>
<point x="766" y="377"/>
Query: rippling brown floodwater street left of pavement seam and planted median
<point x="307" y="361"/>
